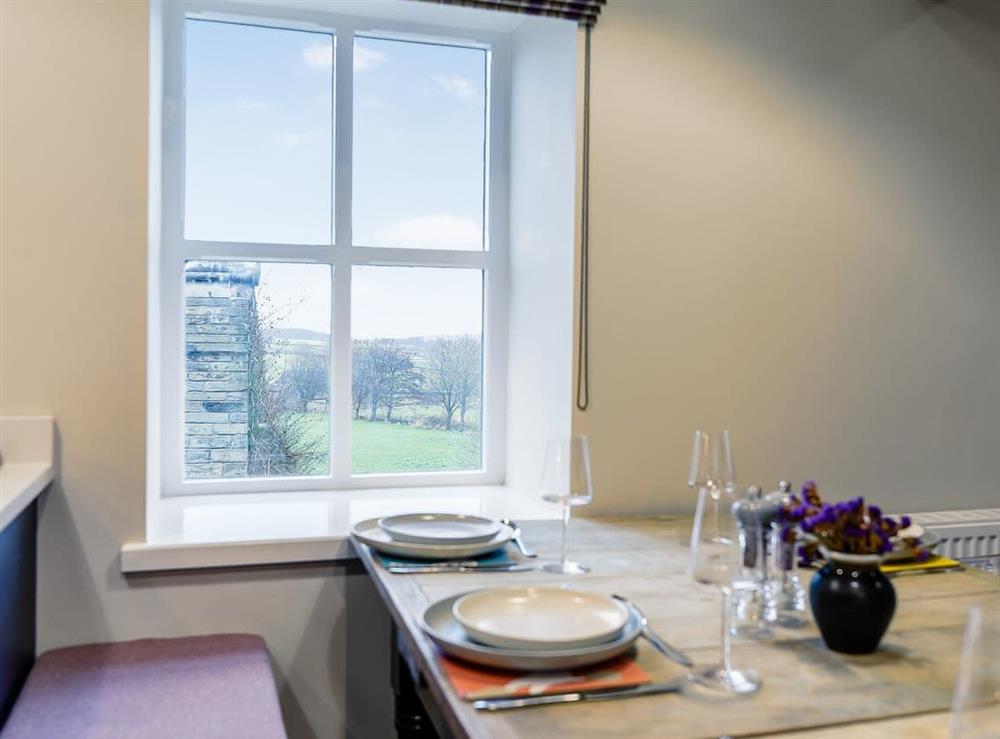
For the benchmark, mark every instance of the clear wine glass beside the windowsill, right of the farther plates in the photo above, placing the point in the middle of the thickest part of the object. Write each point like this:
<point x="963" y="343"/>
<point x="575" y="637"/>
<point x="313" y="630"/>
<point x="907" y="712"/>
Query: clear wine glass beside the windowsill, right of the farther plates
<point x="566" y="480"/>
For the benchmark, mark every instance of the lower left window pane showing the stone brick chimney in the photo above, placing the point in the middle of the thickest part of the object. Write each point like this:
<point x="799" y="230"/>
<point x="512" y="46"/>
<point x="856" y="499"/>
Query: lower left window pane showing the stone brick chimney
<point x="257" y="344"/>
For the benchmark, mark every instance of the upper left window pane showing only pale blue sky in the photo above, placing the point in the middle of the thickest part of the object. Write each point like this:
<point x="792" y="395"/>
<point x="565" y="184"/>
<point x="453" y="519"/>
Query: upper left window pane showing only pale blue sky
<point x="259" y="136"/>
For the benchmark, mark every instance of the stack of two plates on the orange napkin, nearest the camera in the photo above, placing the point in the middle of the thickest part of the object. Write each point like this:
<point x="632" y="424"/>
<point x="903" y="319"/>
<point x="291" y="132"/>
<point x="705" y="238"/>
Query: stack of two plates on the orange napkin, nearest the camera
<point x="532" y="628"/>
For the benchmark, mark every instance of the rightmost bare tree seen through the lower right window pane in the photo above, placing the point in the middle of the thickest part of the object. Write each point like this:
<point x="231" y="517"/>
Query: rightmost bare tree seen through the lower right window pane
<point x="454" y="377"/>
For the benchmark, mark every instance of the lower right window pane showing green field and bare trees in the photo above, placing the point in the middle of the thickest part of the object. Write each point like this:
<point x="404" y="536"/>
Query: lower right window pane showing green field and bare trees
<point x="416" y="369"/>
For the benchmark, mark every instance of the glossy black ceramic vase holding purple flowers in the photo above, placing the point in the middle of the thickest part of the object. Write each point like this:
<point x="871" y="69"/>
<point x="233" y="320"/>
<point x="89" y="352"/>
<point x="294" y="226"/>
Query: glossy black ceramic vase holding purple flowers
<point x="852" y="602"/>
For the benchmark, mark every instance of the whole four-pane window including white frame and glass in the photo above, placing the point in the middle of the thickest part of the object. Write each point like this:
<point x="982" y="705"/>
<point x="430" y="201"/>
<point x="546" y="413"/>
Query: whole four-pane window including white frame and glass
<point x="332" y="258"/>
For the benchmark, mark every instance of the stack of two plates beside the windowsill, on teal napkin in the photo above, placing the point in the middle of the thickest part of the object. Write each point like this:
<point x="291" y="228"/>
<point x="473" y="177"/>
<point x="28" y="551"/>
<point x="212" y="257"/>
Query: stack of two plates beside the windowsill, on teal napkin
<point x="433" y="536"/>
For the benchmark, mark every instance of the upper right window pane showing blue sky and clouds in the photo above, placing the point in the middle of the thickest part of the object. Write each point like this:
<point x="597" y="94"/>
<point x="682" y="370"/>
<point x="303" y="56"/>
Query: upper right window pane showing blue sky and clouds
<point x="419" y="144"/>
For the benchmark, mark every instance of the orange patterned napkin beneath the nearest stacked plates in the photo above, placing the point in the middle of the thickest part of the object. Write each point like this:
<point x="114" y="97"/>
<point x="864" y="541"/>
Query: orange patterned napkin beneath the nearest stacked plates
<point x="476" y="683"/>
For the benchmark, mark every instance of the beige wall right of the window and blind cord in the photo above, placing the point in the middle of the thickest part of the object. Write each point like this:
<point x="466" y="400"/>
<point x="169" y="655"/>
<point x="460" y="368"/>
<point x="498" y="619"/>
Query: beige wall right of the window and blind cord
<point x="796" y="234"/>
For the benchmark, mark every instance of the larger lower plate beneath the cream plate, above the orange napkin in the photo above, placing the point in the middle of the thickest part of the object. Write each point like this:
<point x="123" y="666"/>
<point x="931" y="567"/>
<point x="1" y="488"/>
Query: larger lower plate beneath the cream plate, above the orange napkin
<point x="448" y="634"/>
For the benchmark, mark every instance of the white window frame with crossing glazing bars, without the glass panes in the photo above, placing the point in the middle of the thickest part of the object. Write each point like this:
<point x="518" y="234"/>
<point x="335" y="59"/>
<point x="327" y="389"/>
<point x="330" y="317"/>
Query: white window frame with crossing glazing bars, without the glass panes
<point x="342" y="256"/>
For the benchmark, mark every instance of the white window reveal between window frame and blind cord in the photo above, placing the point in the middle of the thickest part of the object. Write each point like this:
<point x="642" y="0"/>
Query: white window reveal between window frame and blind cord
<point x="543" y="159"/>
